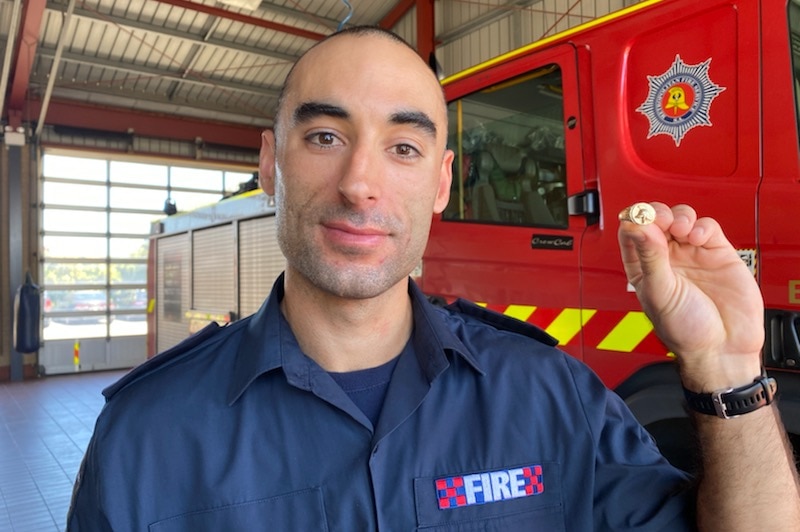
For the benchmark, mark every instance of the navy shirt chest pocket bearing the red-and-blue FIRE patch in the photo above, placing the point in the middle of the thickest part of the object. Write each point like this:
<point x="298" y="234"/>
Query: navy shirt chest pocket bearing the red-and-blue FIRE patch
<point x="525" y="497"/>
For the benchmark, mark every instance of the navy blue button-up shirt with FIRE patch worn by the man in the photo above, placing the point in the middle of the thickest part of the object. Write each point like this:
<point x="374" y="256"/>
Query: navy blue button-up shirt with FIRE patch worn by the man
<point x="485" y="426"/>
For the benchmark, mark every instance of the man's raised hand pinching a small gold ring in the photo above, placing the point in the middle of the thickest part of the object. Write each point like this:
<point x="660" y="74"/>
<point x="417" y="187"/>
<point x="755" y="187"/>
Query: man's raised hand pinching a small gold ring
<point x="701" y="297"/>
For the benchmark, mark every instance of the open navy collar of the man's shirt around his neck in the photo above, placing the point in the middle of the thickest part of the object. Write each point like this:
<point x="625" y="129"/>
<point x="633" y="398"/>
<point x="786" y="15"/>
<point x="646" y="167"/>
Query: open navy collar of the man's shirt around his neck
<point x="264" y="346"/>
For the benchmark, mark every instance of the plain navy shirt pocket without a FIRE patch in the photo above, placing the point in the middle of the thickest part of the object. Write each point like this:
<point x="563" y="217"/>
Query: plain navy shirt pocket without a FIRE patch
<point x="300" y="510"/>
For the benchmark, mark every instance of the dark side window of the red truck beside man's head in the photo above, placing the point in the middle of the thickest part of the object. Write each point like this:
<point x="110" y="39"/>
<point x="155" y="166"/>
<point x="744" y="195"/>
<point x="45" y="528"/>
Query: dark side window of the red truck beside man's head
<point x="510" y="162"/>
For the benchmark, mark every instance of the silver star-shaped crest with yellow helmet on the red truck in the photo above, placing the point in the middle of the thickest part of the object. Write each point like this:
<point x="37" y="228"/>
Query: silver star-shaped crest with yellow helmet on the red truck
<point x="679" y="99"/>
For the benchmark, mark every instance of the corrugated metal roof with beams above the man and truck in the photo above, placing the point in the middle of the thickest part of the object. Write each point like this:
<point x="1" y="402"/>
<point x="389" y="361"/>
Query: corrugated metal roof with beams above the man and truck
<point x="198" y="58"/>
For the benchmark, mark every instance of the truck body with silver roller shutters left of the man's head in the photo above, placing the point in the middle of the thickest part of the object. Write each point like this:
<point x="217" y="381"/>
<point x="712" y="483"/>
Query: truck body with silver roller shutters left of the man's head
<point x="215" y="263"/>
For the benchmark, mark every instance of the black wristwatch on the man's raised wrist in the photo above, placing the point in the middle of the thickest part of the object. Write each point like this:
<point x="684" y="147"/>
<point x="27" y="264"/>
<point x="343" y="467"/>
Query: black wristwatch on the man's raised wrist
<point x="732" y="402"/>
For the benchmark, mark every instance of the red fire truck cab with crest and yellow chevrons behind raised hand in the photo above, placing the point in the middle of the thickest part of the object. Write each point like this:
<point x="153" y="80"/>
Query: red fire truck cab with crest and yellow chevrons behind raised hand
<point x="676" y="101"/>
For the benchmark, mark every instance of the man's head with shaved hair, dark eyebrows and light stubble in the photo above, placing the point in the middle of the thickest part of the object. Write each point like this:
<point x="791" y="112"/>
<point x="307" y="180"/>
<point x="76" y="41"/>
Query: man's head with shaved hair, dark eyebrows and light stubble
<point x="360" y="165"/>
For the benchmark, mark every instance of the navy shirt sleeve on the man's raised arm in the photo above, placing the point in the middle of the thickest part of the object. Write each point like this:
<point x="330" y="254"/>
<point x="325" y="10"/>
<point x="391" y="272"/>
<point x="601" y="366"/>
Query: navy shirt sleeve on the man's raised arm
<point x="635" y="487"/>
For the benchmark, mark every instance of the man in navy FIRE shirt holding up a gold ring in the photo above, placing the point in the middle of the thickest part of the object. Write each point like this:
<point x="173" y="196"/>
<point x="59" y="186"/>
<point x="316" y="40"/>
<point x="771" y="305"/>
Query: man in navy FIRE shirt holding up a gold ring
<point x="350" y="403"/>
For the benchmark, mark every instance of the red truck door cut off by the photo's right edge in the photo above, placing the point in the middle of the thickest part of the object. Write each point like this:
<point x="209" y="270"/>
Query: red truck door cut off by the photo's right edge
<point x="779" y="194"/>
